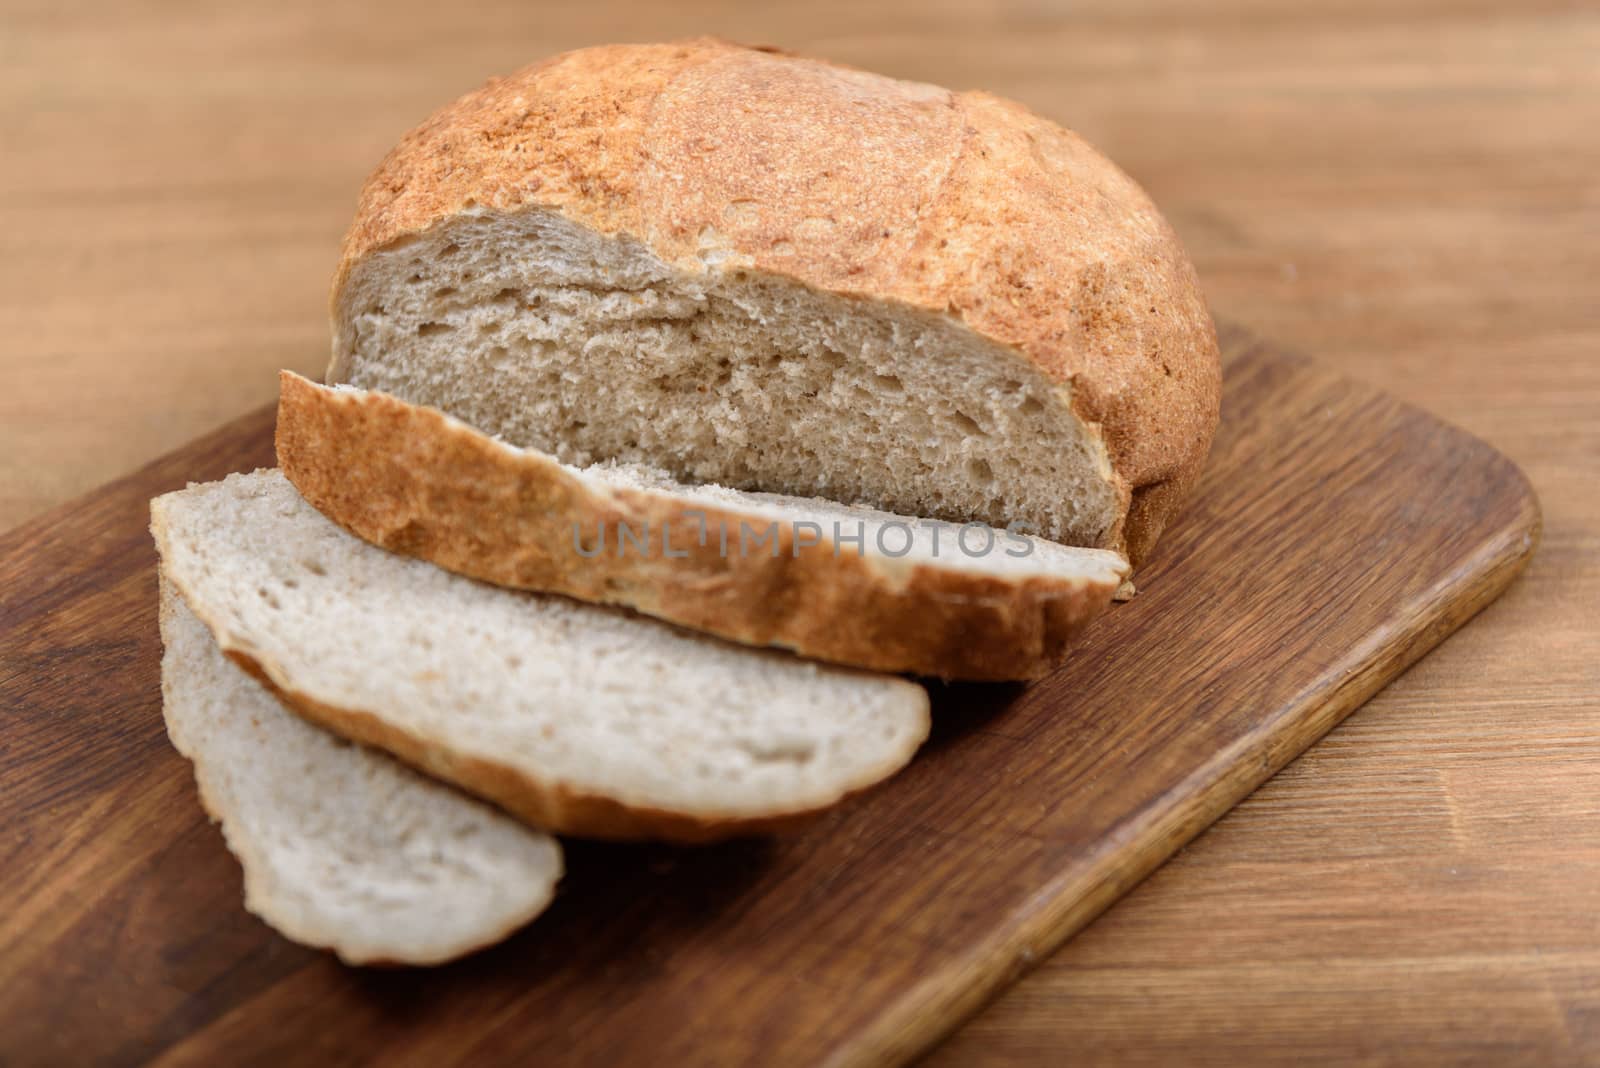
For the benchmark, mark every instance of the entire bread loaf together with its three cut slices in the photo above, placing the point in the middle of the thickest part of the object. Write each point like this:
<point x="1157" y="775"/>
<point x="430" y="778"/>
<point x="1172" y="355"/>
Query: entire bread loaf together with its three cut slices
<point x="671" y="297"/>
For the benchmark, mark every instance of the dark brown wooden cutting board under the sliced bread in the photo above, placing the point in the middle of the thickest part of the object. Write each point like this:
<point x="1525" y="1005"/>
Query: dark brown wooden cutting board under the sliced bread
<point x="1337" y="536"/>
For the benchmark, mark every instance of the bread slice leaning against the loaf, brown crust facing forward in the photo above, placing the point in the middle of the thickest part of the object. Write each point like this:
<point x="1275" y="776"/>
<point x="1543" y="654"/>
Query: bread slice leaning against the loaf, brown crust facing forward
<point x="846" y="584"/>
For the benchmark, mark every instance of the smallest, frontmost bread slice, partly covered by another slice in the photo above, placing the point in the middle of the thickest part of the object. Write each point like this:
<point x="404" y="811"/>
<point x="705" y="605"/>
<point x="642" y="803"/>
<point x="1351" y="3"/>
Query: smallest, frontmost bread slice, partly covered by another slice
<point x="343" y="848"/>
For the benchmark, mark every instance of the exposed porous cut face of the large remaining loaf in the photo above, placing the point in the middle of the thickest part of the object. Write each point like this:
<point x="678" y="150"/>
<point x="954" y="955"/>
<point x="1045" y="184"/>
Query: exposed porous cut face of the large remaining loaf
<point x="590" y="348"/>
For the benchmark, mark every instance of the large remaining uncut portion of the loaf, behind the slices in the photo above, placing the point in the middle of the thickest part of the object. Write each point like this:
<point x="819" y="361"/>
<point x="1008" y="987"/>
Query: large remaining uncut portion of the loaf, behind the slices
<point x="780" y="274"/>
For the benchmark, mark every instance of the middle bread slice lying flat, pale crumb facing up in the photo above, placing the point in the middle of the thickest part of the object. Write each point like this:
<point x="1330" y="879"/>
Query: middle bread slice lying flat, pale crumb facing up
<point x="577" y="719"/>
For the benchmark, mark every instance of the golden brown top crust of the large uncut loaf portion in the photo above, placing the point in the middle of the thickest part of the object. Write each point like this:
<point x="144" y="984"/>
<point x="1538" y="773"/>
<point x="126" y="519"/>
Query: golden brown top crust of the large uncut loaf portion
<point x="857" y="185"/>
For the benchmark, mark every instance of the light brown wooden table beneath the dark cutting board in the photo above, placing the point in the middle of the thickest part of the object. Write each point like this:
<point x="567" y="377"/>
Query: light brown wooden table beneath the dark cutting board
<point x="1407" y="189"/>
